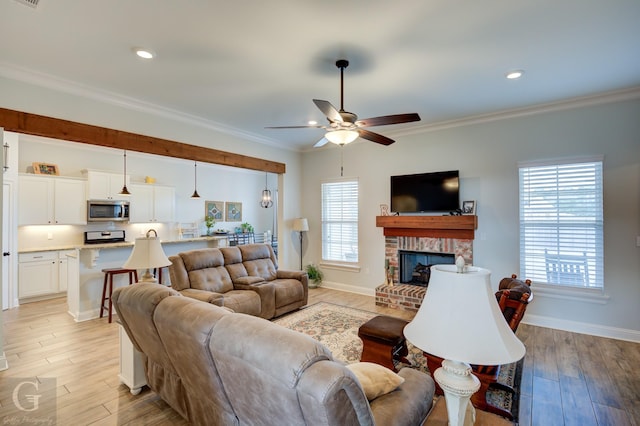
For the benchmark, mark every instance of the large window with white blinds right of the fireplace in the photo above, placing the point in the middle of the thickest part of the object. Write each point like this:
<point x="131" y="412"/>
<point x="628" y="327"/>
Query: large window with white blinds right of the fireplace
<point x="561" y="225"/>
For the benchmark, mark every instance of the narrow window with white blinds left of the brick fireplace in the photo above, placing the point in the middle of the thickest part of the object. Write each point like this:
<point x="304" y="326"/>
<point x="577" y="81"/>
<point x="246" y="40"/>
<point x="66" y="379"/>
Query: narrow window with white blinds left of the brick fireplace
<point x="340" y="220"/>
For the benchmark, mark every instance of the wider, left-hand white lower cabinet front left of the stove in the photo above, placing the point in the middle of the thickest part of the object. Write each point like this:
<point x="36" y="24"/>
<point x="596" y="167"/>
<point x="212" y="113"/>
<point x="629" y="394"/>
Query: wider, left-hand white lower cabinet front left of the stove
<point x="37" y="274"/>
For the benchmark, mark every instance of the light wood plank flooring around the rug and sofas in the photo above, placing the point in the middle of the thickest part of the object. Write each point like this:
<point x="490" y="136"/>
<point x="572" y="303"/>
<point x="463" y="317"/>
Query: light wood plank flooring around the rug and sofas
<point x="568" y="379"/>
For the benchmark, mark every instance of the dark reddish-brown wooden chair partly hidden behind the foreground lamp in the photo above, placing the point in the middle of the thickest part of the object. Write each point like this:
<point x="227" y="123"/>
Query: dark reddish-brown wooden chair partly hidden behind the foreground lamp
<point x="513" y="296"/>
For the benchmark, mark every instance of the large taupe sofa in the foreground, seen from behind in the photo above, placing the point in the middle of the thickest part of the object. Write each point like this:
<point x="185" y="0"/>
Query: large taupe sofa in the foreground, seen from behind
<point x="215" y="367"/>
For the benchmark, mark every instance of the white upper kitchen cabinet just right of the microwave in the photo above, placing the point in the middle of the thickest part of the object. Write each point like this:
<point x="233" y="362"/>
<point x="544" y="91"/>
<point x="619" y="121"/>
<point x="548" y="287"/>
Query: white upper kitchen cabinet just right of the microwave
<point x="152" y="203"/>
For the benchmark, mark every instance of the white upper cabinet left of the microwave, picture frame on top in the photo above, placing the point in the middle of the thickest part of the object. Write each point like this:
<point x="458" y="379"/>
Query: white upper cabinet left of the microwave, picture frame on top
<point x="48" y="200"/>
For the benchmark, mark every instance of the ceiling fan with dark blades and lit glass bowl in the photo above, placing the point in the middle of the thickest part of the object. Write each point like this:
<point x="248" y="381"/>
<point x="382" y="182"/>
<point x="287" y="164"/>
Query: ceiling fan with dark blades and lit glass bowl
<point x="344" y="127"/>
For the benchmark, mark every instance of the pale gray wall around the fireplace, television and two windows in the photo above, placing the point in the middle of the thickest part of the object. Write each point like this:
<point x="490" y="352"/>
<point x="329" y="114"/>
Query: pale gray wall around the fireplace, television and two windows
<point x="486" y="155"/>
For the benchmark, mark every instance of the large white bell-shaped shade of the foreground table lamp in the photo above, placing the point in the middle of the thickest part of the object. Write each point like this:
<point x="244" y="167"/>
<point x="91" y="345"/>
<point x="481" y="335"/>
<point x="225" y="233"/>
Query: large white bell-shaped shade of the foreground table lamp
<point x="460" y="320"/>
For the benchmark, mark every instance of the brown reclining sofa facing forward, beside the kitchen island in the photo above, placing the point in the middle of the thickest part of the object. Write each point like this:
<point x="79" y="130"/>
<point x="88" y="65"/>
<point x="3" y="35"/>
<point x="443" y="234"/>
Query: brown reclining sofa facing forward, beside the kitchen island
<point x="244" y="278"/>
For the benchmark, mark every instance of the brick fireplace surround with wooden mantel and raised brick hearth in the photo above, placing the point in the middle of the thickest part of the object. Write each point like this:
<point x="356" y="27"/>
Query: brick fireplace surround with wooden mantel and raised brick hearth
<point x="434" y="234"/>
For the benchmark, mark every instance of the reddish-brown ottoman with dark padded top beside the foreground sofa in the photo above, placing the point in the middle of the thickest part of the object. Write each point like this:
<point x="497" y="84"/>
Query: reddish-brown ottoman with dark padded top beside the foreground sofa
<point x="383" y="341"/>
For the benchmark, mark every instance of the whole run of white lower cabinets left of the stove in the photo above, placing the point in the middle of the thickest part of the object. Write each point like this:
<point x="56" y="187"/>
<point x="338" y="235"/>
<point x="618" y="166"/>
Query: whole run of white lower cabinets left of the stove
<point x="44" y="273"/>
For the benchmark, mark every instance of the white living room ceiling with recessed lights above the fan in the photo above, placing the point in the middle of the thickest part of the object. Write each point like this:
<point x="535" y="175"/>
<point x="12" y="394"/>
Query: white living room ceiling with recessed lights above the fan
<point x="242" y="65"/>
